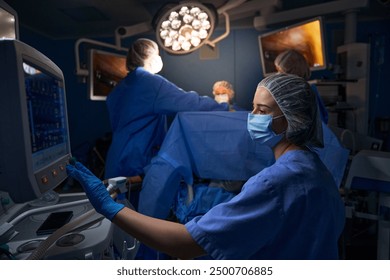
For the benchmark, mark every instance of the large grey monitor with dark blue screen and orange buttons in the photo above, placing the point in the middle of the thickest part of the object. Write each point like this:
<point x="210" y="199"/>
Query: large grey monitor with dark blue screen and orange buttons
<point x="34" y="142"/>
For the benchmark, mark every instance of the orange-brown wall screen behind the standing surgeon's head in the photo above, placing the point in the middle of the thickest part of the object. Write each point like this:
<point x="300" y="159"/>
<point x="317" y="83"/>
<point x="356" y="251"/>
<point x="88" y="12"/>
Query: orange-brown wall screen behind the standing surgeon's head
<point x="106" y="69"/>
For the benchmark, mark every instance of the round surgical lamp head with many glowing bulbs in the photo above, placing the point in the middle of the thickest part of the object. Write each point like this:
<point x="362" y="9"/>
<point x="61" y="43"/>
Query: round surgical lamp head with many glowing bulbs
<point x="185" y="27"/>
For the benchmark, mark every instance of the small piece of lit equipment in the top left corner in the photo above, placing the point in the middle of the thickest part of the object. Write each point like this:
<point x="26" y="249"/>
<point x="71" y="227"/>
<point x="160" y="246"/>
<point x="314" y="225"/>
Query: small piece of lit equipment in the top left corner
<point x="9" y="23"/>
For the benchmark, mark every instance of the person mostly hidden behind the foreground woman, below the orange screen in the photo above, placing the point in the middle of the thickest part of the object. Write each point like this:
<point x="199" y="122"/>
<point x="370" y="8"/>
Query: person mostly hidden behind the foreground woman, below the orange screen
<point x="293" y="62"/>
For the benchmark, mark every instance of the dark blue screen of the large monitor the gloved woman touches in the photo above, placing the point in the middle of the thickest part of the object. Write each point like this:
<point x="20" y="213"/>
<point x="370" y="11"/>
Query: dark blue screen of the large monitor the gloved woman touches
<point x="45" y="96"/>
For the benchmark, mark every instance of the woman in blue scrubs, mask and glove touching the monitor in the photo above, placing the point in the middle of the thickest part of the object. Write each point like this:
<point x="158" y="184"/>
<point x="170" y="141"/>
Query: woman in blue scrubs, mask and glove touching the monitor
<point x="290" y="210"/>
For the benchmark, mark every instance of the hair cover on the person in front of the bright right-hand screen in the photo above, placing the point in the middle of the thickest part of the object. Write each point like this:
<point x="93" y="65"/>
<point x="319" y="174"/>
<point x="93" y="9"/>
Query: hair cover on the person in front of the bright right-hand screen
<point x="293" y="62"/>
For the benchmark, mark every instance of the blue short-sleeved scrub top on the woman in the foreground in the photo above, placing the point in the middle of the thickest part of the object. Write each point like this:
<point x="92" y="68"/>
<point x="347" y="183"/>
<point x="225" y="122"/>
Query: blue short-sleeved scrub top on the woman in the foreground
<point x="290" y="210"/>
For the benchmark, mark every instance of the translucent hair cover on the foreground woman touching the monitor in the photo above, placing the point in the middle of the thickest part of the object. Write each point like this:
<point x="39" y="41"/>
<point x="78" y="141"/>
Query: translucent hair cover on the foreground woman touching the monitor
<point x="298" y="104"/>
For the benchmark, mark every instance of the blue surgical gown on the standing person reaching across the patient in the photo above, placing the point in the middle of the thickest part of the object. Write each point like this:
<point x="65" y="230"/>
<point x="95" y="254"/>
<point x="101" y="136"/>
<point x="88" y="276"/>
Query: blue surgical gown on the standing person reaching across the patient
<point x="137" y="109"/>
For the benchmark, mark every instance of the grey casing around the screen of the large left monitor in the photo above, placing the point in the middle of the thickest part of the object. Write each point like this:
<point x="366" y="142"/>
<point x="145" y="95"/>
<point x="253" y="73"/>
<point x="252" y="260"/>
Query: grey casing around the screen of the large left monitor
<point x="17" y="175"/>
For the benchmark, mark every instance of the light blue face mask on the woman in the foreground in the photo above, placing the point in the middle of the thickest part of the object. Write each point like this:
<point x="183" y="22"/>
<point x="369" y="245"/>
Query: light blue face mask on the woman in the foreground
<point x="260" y="129"/>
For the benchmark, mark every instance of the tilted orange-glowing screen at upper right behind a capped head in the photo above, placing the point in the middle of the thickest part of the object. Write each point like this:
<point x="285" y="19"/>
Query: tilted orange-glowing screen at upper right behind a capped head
<point x="305" y="37"/>
